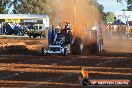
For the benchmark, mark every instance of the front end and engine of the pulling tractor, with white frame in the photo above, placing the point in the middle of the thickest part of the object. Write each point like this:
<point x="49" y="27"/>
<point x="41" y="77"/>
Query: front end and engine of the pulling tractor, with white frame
<point x="60" y="43"/>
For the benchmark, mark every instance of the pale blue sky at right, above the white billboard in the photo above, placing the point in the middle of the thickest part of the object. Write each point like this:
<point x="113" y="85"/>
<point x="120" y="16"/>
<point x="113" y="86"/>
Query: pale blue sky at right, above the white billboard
<point x="112" y="5"/>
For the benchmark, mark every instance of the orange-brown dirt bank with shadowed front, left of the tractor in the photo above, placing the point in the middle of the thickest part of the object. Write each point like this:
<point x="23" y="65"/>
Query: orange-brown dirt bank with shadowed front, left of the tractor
<point x="21" y="46"/>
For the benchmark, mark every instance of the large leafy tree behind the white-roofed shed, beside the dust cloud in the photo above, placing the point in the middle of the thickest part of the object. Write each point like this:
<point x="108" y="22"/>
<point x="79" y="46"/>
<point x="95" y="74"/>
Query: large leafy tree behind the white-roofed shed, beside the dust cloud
<point x="30" y="6"/>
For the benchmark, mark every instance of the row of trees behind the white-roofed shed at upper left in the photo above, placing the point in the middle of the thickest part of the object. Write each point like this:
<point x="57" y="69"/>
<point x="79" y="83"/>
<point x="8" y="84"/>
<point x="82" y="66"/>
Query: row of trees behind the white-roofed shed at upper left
<point x="23" y="6"/>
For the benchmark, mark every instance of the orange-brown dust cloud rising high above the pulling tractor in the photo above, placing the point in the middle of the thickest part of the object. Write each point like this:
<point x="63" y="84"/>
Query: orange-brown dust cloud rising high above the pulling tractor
<point x="80" y="13"/>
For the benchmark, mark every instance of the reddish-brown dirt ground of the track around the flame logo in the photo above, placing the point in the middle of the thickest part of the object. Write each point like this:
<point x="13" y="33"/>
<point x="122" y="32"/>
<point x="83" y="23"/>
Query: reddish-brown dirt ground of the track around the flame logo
<point x="20" y="68"/>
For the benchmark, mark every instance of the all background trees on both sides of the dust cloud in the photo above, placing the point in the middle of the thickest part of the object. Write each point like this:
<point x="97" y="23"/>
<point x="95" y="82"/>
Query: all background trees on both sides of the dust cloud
<point x="41" y="7"/>
